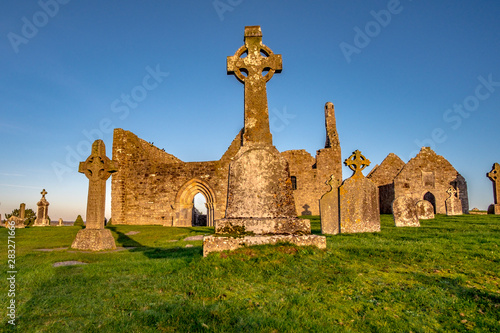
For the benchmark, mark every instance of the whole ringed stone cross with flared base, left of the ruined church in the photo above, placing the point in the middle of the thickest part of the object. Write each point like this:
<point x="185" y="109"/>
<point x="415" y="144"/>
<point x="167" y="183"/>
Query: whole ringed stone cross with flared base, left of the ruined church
<point x="97" y="168"/>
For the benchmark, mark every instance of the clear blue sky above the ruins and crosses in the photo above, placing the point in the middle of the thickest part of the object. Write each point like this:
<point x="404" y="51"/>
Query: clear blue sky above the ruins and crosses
<point x="401" y="74"/>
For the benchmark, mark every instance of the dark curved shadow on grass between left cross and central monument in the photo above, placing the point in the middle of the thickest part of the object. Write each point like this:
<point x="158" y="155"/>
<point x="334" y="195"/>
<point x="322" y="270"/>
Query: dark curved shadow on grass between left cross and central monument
<point x="157" y="252"/>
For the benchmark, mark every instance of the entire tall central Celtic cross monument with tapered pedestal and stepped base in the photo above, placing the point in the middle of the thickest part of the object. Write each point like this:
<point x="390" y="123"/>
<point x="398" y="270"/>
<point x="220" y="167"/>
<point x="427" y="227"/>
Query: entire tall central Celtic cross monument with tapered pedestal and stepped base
<point x="260" y="206"/>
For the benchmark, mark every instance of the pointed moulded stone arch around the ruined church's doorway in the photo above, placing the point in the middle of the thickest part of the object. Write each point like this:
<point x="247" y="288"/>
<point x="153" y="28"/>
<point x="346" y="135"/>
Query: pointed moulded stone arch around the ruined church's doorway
<point x="184" y="203"/>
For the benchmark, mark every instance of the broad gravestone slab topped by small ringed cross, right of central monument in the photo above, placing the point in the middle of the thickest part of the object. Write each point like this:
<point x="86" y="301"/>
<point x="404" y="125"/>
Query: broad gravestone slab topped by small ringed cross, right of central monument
<point x="359" y="203"/>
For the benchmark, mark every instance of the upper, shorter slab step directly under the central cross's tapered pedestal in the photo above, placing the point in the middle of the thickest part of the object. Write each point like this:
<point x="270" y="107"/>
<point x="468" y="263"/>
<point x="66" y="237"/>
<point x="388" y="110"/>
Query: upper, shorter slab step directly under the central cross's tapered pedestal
<point x="263" y="226"/>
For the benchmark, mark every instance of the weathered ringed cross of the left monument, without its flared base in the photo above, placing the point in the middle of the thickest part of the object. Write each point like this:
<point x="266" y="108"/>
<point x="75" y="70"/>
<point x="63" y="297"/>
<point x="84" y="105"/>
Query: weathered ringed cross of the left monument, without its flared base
<point x="98" y="167"/>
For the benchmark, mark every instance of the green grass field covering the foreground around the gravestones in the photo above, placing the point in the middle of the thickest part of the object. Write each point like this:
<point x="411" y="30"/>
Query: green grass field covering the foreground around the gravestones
<point x="443" y="276"/>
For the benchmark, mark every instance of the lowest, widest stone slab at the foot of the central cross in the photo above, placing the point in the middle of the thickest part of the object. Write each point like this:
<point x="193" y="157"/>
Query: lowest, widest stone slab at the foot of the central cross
<point x="221" y="243"/>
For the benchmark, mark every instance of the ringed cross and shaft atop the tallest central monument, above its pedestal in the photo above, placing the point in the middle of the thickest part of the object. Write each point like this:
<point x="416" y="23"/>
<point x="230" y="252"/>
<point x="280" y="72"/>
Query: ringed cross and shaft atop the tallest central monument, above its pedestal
<point x="250" y="70"/>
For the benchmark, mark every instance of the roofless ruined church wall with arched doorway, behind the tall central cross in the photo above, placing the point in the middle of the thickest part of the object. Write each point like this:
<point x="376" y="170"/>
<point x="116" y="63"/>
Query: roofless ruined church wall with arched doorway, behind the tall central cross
<point x="154" y="187"/>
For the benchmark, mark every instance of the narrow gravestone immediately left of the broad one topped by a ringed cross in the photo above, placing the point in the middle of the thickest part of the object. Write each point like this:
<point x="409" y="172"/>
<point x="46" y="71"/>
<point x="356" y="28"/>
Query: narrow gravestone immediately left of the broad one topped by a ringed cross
<point x="329" y="208"/>
